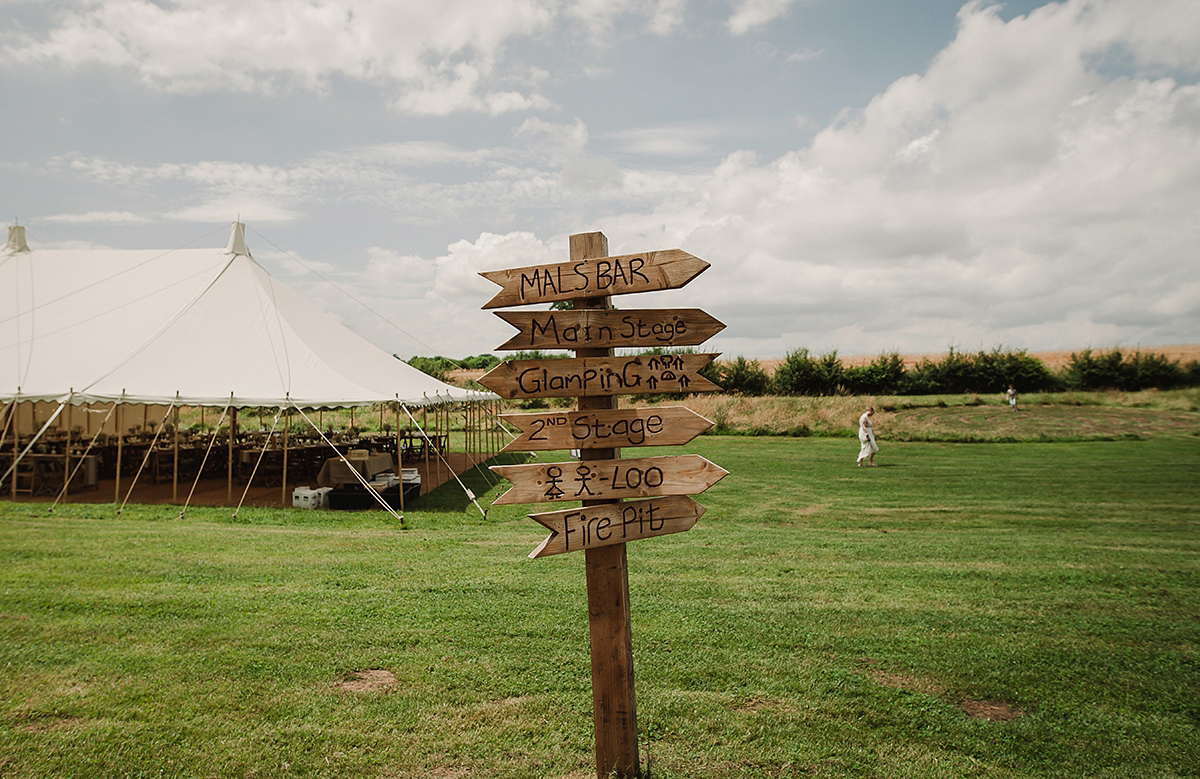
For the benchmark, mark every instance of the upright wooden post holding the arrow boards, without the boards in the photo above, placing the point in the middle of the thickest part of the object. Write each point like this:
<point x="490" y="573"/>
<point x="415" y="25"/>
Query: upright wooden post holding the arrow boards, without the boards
<point x="615" y="710"/>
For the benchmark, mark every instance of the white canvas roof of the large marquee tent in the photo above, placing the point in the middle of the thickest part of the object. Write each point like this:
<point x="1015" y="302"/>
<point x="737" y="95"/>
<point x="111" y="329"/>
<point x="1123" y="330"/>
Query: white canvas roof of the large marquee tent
<point x="193" y="327"/>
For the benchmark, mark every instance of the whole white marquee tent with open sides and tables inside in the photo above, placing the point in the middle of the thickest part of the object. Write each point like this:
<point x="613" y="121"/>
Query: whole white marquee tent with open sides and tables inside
<point x="193" y="376"/>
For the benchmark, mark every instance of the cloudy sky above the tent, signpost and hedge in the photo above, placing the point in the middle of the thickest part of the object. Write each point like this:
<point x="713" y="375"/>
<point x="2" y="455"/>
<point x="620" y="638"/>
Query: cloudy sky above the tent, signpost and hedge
<point x="865" y="176"/>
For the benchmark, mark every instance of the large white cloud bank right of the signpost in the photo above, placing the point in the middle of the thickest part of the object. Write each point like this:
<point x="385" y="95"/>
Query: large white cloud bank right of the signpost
<point x="1010" y="193"/>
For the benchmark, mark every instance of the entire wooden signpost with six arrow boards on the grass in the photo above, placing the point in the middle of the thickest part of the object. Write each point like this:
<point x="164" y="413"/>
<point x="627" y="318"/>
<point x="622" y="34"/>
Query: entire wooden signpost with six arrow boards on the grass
<point x="597" y="430"/>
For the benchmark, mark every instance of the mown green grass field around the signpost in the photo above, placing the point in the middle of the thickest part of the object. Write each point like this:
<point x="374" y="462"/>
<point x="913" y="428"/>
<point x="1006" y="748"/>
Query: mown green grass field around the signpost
<point x="964" y="610"/>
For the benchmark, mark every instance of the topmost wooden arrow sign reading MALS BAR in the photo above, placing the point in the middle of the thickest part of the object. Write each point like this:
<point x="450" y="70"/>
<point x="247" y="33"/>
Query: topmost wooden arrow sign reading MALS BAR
<point x="650" y="272"/>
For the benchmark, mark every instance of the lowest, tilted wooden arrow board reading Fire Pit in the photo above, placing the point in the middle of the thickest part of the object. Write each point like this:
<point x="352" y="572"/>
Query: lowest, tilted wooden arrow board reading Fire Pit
<point x="616" y="524"/>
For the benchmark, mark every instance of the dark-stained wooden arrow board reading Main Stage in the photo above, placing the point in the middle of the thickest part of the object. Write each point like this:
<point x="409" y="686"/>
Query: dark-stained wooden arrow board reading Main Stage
<point x="596" y="328"/>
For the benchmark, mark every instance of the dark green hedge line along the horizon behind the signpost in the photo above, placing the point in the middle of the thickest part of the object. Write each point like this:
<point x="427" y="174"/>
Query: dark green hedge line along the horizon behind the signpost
<point x="957" y="373"/>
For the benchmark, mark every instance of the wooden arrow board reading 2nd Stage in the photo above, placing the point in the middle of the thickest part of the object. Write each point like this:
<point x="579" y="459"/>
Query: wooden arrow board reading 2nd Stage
<point x="663" y="427"/>
